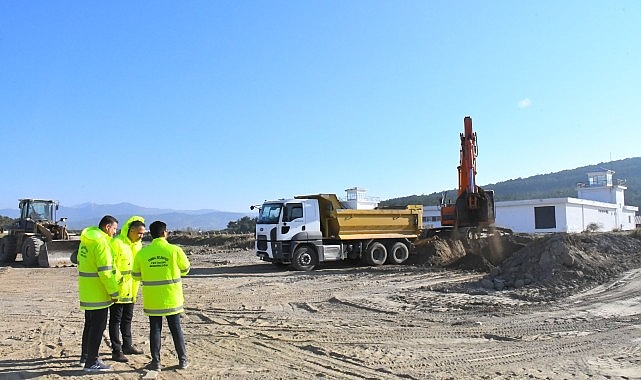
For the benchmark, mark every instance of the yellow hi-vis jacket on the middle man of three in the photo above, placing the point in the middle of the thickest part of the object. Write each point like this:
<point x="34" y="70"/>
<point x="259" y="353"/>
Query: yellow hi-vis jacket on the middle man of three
<point x="124" y="252"/>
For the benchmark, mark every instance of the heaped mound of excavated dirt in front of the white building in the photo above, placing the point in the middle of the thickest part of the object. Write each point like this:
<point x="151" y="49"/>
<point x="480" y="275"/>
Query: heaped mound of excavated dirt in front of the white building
<point x="546" y="266"/>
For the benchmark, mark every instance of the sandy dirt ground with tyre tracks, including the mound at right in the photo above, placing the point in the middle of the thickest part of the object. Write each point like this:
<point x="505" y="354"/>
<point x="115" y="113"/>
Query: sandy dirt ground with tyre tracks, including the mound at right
<point x="549" y="307"/>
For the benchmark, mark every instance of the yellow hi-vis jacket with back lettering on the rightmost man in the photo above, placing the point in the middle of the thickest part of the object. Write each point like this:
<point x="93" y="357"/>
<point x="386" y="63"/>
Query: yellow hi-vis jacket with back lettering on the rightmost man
<point x="160" y="266"/>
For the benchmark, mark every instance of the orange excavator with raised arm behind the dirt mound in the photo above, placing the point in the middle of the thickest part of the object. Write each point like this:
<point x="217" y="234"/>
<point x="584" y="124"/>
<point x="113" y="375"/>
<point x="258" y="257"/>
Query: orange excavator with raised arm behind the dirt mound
<point x="474" y="207"/>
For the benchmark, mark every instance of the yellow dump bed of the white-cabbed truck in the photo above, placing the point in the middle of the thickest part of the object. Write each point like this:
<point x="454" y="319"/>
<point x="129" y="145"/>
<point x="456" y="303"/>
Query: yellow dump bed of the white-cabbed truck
<point x="346" y="224"/>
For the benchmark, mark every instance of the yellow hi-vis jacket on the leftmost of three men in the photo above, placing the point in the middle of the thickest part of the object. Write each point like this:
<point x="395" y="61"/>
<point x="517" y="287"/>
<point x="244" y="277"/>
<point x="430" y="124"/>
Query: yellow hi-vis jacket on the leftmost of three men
<point x="97" y="278"/>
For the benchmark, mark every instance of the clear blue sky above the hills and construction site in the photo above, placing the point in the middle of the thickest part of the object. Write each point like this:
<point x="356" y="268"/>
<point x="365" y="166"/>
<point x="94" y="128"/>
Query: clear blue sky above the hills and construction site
<point x="223" y="104"/>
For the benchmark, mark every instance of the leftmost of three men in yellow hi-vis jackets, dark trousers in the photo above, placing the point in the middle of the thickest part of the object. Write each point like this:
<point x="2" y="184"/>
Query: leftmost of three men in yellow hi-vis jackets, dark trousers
<point x="97" y="288"/>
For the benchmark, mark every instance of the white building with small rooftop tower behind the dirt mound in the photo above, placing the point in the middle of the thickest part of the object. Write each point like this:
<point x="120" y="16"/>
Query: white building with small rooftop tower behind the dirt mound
<point x="600" y="204"/>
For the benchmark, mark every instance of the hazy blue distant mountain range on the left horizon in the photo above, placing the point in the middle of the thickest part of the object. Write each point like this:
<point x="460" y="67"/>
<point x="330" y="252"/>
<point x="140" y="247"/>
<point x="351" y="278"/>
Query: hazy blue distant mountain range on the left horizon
<point x="89" y="214"/>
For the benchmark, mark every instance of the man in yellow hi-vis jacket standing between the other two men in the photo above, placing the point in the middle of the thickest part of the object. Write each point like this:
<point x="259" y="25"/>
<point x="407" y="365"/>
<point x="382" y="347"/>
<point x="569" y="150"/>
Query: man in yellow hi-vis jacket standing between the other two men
<point x="124" y="247"/>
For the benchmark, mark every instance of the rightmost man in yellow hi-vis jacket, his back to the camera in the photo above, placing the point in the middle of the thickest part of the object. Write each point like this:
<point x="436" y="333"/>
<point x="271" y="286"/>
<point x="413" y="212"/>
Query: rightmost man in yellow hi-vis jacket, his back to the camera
<point x="160" y="267"/>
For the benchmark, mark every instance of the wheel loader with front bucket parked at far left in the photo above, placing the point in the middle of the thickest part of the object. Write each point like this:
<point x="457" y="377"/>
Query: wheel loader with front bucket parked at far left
<point x="38" y="236"/>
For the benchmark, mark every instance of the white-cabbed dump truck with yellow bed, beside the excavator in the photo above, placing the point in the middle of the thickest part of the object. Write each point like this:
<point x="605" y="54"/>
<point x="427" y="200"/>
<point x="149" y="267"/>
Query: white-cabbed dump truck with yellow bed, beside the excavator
<point x="311" y="229"/>
